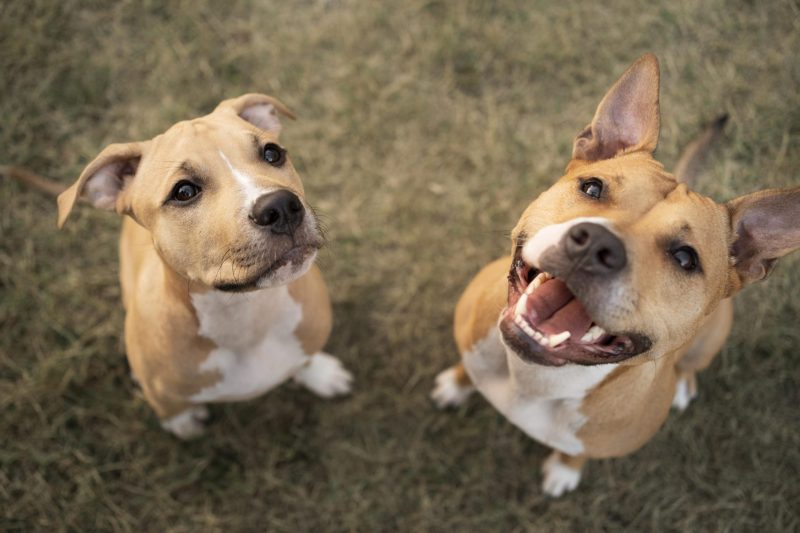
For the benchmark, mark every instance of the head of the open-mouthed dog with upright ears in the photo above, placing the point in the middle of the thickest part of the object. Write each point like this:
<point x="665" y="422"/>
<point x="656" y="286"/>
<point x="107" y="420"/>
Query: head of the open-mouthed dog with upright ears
<point x="619" y="259"/>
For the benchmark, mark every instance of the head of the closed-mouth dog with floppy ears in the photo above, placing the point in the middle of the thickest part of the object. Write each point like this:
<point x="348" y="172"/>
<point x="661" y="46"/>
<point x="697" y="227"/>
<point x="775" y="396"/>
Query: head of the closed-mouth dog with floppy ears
<point x="219" y="195"/>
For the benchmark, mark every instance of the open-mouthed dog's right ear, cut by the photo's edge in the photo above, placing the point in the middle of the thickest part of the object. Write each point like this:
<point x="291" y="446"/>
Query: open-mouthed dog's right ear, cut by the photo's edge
<point x="766" y="226"/>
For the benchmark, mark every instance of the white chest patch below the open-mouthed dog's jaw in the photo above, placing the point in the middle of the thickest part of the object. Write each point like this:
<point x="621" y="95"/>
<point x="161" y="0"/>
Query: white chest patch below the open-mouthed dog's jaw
<point x="542" y="401"/>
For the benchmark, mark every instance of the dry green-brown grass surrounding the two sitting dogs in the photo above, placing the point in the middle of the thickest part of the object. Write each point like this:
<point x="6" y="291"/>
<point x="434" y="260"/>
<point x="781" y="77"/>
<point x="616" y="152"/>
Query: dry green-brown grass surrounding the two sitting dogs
<point x="425" y="128"/>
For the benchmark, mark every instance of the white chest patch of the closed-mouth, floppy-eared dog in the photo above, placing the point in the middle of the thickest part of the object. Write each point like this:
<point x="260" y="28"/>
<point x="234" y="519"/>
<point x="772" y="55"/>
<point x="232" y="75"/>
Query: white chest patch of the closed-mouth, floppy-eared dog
<point x="256" y="345"/>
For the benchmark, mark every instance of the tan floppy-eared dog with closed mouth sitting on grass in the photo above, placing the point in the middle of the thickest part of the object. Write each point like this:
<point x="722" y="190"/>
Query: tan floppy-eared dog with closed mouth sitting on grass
<point x="222" y="301"/>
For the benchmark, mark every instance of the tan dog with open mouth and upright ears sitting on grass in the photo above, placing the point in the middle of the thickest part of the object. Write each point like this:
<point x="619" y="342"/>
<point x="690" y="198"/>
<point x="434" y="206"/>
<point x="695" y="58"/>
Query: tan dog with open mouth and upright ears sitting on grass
<point x="616" y="293"/>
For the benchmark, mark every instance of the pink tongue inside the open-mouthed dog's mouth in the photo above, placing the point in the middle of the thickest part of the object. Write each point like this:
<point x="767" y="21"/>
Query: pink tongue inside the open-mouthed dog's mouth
<point x="555" y="309"/>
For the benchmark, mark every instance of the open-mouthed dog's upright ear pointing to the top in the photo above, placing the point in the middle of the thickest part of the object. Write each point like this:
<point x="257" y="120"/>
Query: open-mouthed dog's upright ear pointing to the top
<point x="627" y="118"/>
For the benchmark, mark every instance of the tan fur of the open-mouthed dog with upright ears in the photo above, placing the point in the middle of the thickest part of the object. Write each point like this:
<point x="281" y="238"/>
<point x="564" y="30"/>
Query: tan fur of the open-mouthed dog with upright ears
<point x="688" y="317"/>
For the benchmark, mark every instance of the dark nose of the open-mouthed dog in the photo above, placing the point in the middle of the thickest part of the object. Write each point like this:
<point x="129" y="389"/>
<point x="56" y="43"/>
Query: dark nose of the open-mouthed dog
<point x="594" y="249"/>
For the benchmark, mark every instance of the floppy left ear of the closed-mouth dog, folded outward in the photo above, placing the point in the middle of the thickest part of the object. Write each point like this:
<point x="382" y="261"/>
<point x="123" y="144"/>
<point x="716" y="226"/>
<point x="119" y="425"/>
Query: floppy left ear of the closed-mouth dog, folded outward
<point x="103" y="179"/>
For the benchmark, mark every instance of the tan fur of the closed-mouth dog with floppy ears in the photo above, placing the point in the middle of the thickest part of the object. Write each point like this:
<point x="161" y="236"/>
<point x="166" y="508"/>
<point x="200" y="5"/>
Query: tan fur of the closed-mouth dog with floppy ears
<point x="168" y="254"/>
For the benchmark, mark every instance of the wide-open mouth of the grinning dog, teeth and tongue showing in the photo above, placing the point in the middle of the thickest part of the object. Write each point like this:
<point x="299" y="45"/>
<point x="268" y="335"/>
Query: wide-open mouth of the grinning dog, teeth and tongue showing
<point x="546" y="323"/>
